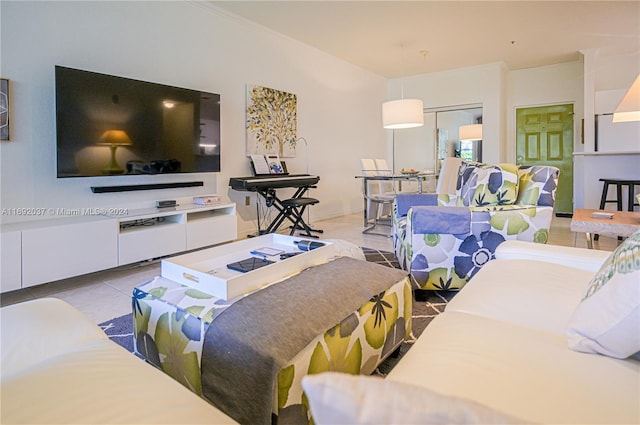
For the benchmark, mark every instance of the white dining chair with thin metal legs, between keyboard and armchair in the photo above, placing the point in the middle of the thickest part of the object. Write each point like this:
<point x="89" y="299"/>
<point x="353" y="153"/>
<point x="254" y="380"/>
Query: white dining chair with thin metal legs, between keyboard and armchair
<point x="378" y="194"/>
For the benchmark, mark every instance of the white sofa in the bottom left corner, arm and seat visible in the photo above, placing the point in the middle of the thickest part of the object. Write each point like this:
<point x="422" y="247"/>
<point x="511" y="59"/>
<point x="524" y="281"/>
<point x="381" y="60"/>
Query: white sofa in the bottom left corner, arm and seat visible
<point x="58" y="367"/>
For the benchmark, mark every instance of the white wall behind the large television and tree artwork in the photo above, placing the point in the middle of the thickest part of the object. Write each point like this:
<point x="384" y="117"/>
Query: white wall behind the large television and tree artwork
<point x="186" y="44"/>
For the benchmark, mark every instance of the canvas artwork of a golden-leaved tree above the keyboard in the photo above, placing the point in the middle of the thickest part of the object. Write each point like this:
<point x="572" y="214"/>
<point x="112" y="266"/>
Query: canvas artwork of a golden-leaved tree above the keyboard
<point x="271" y="122"/>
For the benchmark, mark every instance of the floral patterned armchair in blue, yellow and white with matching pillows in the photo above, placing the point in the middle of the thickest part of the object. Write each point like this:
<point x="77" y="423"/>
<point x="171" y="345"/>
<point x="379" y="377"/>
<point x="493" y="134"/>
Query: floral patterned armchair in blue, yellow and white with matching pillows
<point x="442" y="240"/>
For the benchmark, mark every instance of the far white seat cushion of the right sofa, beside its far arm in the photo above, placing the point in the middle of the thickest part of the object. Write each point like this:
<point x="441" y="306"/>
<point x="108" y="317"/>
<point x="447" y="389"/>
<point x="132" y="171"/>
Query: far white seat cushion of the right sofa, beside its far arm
<point x="523" y="292"/>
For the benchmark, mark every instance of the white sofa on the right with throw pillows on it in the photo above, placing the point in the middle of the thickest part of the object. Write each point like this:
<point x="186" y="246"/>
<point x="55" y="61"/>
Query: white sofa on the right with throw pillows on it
<point x="500" y="353"/>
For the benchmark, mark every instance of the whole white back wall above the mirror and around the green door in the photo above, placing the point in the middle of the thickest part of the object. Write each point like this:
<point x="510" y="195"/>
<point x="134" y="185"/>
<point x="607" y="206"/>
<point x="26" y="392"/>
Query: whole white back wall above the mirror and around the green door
<point x="590" y="85"/>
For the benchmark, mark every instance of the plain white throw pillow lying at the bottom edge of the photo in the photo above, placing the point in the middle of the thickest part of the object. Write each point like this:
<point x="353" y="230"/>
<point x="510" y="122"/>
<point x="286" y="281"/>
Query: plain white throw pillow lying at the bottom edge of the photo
<point x="340" y="398"/>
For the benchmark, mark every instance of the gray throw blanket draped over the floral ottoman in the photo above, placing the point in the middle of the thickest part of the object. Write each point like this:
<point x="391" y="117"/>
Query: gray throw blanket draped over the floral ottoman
<point x="250" y="342"/>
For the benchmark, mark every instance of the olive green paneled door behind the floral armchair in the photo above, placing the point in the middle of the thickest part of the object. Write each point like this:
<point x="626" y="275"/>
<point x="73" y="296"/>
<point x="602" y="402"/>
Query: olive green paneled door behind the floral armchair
<point x="545" y="137"/>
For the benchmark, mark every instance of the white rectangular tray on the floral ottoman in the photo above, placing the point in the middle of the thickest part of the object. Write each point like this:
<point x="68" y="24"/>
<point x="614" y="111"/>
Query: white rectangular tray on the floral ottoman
<point x="206" y="270"/>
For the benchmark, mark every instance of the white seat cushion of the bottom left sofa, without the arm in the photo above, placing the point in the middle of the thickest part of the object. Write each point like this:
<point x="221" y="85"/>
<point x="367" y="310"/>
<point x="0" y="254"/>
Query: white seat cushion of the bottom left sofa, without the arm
<point x="101" y="383"/>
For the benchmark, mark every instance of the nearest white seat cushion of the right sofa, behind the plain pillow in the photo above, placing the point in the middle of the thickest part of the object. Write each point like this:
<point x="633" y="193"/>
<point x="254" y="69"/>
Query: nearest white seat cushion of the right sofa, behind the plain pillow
<point x="520" y="371"/>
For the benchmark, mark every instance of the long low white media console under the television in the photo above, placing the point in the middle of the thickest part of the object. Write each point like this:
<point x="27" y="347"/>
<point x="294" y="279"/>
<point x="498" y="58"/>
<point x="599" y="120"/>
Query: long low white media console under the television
<point x="41" y="251"/>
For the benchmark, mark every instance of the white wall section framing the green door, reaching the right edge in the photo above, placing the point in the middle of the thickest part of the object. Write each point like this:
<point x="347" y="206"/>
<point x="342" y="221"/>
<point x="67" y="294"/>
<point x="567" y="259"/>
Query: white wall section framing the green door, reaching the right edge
<point x="594" y="86"/>
